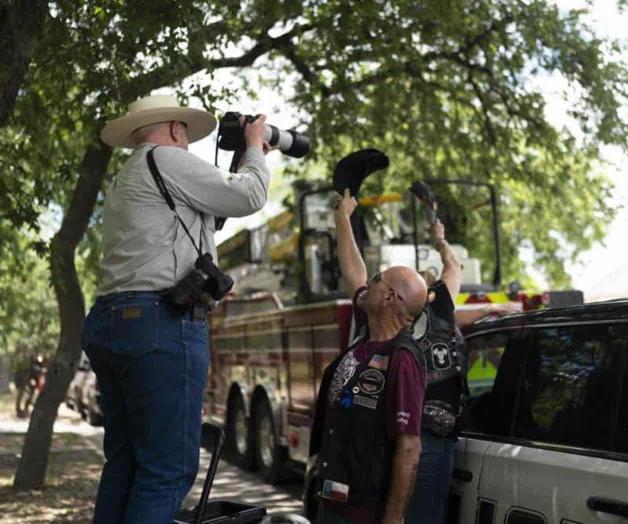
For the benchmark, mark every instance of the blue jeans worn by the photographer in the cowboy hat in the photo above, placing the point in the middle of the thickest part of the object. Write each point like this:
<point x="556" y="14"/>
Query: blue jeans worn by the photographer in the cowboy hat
<point x="151" y="362"/>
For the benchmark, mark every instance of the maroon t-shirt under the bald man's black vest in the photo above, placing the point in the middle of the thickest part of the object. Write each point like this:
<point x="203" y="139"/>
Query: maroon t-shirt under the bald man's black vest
<point x="404" y="406"/>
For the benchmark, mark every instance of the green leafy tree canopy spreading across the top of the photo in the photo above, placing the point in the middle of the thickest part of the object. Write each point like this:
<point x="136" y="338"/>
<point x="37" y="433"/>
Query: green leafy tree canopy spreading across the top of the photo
<point x="444" y="88"/>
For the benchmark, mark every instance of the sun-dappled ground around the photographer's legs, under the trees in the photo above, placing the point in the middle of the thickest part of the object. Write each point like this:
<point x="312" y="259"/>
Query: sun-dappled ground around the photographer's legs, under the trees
<point x="75" y="463"/>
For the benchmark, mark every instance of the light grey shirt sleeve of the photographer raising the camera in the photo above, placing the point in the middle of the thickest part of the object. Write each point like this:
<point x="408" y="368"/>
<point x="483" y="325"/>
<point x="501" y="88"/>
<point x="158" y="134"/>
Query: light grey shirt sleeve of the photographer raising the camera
<point x="211" y="190"/>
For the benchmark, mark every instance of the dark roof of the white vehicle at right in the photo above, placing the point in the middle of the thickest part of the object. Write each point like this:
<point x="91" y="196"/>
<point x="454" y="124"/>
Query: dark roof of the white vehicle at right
<point x="607" y="310"/>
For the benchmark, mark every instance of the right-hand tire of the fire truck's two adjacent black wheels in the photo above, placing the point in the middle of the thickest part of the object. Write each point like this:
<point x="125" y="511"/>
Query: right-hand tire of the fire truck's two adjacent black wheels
<point x="269" y="454"/>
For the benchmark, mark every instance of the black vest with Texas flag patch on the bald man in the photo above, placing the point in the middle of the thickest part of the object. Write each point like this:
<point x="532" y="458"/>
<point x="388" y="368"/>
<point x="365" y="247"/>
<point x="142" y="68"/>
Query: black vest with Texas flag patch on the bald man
<point x="355" y="458"/>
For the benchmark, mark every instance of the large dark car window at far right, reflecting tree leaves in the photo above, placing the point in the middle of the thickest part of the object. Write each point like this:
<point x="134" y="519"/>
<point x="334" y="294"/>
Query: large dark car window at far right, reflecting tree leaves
<point x="570" y="386"/>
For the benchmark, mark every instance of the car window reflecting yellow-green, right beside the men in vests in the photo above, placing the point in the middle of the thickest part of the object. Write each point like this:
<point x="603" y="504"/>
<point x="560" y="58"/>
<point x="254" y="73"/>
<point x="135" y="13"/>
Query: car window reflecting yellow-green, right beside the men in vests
<point x="494" y="369"/>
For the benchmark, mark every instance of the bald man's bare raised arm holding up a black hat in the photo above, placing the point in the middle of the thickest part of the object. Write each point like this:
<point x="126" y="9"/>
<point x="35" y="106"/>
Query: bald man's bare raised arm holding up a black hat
<point x="351" y="264"/>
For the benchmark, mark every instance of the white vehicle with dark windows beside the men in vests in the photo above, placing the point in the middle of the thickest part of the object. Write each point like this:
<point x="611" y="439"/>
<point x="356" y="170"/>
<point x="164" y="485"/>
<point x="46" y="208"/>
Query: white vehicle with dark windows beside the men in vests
<point x="546" y="436"/>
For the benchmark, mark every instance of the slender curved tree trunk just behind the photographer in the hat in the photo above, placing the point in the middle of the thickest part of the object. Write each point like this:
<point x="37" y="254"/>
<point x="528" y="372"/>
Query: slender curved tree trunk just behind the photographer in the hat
<point x="31" y="471"/>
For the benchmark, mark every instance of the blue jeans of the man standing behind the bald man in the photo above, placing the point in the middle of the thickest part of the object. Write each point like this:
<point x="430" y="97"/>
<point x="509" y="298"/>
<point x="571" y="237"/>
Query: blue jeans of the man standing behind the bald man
<point x="436" y="464"/>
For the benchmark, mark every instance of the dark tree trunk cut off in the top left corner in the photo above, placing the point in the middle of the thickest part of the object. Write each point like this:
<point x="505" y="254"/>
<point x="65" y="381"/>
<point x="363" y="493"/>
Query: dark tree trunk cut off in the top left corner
<point x="22" y="23"/>
